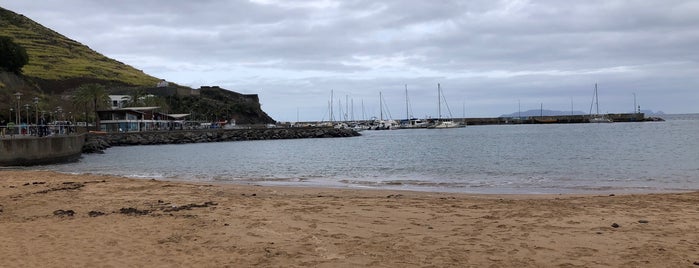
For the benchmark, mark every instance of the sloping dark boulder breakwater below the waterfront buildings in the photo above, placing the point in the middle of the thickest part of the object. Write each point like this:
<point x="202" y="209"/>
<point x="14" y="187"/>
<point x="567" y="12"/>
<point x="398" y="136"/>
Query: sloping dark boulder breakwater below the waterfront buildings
<point x="97" y="142"/>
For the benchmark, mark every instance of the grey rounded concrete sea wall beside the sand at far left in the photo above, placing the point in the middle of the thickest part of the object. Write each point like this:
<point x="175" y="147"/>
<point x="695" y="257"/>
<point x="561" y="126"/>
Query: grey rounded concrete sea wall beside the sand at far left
<point x="26" y="151"/>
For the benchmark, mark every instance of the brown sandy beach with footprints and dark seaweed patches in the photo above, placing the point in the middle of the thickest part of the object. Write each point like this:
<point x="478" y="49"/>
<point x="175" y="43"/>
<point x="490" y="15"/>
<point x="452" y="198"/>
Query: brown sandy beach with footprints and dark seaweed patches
<point x="49" y="219"/>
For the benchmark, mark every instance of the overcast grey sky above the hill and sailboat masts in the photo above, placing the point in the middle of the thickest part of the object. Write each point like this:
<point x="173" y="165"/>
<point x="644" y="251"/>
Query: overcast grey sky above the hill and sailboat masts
<point x="490" y="57"/>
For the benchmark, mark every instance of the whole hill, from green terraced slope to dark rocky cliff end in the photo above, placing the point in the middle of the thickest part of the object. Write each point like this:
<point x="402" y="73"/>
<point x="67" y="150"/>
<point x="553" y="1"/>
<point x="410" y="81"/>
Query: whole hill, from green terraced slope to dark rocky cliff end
<point x="58" y="65"/>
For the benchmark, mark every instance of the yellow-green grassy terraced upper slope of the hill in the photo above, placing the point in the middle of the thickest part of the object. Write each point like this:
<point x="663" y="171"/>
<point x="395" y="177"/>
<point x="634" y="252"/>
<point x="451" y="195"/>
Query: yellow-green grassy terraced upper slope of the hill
<point x="55" y="57"/>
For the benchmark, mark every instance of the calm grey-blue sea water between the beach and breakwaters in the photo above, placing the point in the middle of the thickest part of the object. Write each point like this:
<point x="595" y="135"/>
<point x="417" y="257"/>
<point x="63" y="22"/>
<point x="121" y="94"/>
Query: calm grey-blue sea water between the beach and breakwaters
<point x="520" y="159"/>
